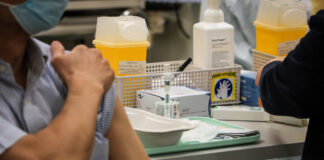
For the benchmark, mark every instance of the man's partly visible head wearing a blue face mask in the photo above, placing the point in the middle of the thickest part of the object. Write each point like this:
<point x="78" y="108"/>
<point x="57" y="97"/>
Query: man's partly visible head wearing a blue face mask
<point x="33" y="16"/>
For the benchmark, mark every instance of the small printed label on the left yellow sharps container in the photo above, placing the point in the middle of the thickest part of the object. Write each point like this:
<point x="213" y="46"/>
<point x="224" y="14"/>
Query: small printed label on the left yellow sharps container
<point x="131" y="67"/>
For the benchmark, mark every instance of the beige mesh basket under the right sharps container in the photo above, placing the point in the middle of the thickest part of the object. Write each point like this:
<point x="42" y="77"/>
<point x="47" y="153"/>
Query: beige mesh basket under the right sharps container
<point x="260" y="59"/>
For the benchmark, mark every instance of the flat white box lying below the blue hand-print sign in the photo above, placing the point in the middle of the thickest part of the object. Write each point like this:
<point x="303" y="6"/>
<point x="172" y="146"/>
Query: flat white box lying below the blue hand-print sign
<point x="240" y="113"/>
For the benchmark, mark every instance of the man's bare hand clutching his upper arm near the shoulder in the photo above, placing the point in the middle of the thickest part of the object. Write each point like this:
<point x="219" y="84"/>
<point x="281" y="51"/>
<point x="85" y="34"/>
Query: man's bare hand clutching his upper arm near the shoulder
<point x="82" y="67"/>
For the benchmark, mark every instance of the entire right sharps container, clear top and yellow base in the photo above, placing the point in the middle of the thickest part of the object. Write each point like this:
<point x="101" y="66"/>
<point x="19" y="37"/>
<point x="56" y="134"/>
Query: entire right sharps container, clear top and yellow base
<point x="280" y="25"/>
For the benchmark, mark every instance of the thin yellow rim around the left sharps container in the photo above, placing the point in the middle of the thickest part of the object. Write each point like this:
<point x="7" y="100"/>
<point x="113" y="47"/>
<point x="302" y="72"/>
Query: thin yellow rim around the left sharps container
<point x="121" y="45"/>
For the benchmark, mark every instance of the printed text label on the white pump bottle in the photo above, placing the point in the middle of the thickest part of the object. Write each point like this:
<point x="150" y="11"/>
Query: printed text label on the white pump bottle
<point x="220" y="48"/>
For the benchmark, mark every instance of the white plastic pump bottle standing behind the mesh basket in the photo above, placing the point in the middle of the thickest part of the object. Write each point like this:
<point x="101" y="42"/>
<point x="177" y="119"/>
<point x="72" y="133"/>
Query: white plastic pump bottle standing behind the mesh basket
<point x="213" y="39"/>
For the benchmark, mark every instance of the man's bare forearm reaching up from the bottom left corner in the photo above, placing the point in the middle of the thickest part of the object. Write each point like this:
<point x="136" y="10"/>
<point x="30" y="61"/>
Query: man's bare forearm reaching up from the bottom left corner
<point x="69" y="136"/>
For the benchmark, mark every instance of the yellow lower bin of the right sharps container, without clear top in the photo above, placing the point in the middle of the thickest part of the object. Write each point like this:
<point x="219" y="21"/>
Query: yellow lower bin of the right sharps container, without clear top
<point x="278" y="41"/>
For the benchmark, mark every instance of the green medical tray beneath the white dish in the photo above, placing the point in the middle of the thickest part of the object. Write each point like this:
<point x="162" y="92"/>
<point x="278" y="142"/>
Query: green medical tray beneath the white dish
<point x="214" y="143"/>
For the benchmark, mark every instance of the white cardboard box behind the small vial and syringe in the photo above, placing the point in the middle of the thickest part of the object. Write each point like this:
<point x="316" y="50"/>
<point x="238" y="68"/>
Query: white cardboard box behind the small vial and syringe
<point x="193" y="102"/>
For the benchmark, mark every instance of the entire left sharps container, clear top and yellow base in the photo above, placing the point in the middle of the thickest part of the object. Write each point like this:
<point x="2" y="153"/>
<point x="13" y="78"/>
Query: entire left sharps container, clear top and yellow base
<point x="123" y="42"/>
